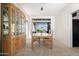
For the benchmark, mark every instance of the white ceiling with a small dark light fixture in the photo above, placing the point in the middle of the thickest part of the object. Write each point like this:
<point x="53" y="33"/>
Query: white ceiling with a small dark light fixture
<point x="49" y="9"/>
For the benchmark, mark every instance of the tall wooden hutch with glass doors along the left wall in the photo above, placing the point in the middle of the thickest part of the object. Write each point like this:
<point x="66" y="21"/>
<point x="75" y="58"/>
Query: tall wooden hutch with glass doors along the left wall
<point x="13" y="29"/>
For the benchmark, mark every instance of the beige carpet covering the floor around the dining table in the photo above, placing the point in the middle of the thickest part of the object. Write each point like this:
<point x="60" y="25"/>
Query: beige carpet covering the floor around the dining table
<point x="58" y="49"/>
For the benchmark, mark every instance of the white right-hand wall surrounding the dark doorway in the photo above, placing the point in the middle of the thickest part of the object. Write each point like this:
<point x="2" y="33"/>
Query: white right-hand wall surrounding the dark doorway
<point x="64" y="24"/>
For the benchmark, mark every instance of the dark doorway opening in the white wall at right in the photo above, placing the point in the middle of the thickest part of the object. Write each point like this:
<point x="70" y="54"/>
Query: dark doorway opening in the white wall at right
<point x="75" y="28"/>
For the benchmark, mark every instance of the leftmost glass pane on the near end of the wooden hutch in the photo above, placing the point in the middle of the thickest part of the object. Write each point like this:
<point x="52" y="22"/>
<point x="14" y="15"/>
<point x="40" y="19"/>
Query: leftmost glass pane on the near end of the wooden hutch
<point x="5" y="21"/>
